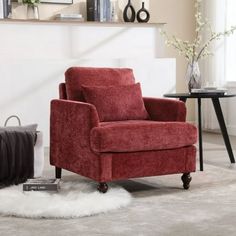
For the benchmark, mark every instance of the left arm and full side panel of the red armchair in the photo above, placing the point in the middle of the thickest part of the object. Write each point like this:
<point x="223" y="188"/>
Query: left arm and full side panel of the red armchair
<point x="70" y="126"/>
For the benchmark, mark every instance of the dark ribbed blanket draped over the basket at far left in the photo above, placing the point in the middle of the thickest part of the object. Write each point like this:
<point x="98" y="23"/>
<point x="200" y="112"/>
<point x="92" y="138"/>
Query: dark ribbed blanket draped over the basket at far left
<point x="16" y="157"/>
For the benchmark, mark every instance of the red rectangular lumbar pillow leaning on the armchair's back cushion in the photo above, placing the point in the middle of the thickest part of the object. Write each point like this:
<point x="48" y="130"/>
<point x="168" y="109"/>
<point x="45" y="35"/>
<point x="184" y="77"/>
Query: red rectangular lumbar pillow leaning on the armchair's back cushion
<point x="115" y="103"/>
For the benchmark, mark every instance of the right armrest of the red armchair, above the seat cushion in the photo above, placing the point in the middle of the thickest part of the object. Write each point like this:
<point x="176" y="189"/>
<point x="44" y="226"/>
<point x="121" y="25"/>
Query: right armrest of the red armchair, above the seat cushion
<point x="162" y="109"/>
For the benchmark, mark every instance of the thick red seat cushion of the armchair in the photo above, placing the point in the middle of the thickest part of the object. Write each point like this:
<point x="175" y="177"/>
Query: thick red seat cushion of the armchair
<point x="134" y="135"/>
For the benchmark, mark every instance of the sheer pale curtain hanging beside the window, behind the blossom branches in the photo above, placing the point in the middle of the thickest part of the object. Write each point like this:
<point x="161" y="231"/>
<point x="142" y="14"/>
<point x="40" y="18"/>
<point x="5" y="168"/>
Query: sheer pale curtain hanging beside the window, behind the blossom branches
<point x="213" y="68"/>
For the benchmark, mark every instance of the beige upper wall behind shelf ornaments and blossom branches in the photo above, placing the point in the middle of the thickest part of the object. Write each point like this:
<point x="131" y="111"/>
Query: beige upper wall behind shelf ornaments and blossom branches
<point x="178" y="14"/>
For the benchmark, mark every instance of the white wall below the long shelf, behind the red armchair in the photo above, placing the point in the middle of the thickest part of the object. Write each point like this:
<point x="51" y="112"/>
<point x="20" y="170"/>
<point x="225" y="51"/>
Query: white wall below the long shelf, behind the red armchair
<point x="34" y="57"/>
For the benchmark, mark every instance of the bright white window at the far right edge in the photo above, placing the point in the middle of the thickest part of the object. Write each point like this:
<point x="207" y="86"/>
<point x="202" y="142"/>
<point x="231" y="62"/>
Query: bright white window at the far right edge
<point x="230" y="61"/>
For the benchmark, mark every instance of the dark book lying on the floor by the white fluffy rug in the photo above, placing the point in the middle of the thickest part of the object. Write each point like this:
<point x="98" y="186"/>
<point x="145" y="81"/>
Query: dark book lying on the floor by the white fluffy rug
<point x="41" y="184"/>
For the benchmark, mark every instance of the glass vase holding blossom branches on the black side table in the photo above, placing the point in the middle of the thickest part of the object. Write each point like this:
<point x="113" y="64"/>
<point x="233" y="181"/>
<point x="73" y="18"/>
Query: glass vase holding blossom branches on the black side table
<point x="193" y="76"/>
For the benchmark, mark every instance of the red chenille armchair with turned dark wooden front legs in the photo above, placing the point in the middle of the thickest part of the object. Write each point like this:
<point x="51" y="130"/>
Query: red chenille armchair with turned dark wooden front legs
<point x="103" y="129"/>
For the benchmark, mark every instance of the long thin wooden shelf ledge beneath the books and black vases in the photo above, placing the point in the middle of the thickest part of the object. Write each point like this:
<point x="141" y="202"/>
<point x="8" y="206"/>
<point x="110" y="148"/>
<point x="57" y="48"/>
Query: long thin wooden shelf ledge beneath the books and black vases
<point x="84" y="23"/>
